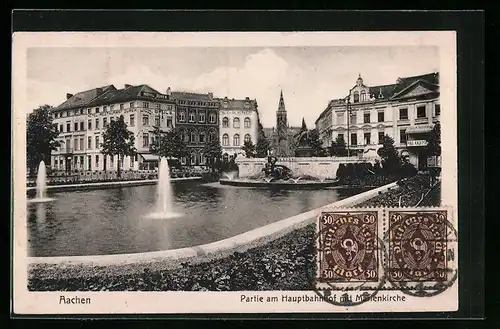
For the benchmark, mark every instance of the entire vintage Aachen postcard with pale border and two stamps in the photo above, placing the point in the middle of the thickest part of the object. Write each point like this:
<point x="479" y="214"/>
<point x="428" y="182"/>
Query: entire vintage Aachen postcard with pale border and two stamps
<point x="181" y="173"/>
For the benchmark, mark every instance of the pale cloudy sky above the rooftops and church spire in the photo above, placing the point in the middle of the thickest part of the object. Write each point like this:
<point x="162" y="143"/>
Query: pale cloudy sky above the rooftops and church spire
<point x="308" y="76"/>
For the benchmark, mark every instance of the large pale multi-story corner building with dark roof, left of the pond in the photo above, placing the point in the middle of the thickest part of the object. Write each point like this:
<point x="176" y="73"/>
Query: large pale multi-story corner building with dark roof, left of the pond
<point x="83" y="117"/>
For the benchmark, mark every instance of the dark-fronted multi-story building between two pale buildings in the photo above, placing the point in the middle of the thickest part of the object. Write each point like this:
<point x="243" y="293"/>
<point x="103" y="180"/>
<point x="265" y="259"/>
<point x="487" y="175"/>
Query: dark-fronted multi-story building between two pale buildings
<point x="197" y="119"/>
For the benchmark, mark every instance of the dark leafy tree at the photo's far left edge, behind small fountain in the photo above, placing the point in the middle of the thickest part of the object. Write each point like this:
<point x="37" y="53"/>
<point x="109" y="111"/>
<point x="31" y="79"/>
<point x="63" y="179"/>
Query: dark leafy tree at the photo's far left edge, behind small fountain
<point x="40" y="137"/>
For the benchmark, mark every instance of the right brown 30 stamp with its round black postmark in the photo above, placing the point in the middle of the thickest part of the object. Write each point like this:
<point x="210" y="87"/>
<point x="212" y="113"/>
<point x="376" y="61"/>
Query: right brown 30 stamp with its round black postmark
<point x="423" y="250"/>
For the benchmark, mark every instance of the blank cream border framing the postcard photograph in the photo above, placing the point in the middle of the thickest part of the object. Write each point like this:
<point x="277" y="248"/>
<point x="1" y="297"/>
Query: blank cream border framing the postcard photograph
<point x="25" y="302"/>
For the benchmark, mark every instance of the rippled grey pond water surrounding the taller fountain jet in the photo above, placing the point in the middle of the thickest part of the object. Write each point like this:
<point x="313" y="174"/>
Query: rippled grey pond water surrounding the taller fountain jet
<point x="114" y="221"/>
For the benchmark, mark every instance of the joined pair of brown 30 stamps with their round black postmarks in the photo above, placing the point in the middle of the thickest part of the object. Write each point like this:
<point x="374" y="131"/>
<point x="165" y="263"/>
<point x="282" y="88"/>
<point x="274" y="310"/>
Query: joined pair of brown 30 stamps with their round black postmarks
<point x="413" y="252"/>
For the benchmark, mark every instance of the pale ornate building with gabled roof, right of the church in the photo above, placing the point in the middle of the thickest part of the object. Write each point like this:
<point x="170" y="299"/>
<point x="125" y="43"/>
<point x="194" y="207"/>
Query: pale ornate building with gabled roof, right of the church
<point x="405" y="111"/>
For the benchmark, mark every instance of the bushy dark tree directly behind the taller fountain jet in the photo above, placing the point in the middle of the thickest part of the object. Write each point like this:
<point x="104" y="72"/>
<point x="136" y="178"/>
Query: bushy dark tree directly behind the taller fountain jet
<point x="168" y="144"/>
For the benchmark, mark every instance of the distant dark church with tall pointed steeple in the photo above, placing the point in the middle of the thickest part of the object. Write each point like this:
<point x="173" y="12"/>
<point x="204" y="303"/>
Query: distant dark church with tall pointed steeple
<point x="283" y="138"/>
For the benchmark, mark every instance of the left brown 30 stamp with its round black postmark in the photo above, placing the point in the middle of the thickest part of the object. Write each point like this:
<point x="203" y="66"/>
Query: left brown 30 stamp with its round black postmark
<point x="348" y="251"/>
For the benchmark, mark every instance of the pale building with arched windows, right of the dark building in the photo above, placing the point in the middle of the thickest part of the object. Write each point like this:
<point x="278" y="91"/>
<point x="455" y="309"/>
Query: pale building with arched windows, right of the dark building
<point x="239" y="121"/>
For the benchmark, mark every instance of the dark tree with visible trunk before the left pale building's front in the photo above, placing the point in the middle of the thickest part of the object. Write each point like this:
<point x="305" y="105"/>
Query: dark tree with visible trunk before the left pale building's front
<point x="118" y="140"/>
